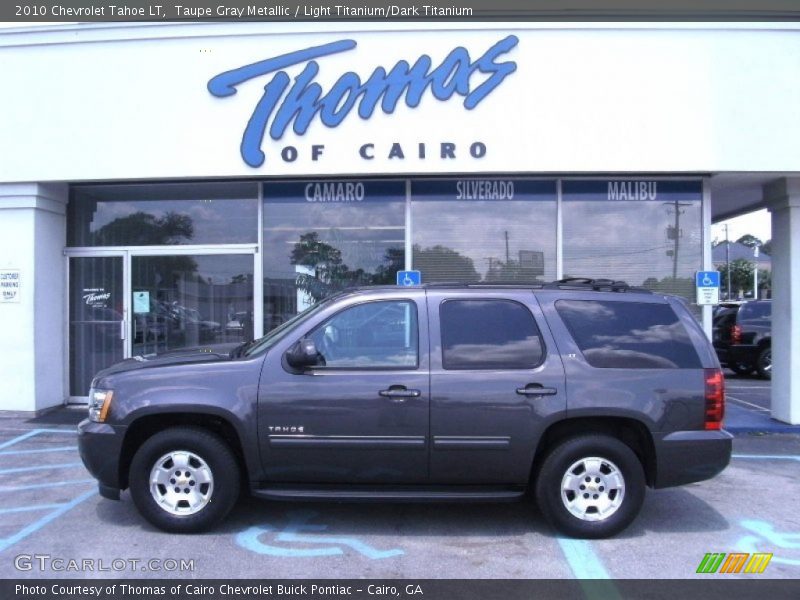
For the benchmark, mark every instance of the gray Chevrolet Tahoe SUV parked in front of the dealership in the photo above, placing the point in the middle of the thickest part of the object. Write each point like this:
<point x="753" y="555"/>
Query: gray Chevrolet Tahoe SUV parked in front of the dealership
<point x="584" y="392"/>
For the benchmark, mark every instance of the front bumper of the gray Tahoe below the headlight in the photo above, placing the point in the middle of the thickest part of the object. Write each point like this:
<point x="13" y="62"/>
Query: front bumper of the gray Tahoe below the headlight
<point x="100" y="447"/>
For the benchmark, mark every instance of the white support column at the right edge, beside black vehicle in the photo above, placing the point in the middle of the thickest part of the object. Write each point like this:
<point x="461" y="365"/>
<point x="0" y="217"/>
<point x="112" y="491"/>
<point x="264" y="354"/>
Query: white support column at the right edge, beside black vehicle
<point x="783" y="197"/>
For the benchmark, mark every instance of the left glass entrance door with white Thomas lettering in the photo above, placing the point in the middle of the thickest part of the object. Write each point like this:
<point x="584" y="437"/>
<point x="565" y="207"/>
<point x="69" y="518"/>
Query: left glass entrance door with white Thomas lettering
<point x="96" y="317"/>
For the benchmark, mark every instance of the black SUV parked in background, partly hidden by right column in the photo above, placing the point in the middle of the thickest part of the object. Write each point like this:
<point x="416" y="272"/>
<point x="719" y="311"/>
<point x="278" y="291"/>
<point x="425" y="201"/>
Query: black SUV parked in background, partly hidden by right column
<point x="743" y="337"/>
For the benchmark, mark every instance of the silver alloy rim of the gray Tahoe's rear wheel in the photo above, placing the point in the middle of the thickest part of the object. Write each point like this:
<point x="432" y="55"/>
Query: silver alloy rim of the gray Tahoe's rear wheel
<point x="592" y="489"/>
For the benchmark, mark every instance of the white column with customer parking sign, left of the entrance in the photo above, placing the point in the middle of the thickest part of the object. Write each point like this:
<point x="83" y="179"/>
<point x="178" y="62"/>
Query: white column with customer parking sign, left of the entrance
<point x="32" y="343"/>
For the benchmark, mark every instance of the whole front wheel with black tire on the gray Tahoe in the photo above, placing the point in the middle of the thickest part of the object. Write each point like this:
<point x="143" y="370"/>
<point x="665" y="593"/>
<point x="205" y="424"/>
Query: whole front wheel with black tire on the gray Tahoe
<point x="206" y="453"/>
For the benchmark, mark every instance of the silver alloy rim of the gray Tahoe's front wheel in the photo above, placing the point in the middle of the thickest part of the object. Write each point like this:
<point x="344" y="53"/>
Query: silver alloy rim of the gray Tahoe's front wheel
<point x="181" y="483"/>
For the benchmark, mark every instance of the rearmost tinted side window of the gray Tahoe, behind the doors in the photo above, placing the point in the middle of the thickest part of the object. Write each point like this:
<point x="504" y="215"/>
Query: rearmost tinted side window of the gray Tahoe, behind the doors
<point x="628" y="335"/>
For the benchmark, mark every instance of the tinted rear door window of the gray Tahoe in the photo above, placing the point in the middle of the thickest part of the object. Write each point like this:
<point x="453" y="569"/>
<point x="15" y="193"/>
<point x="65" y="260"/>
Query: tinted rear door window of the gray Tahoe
<point x="489" y="334"/>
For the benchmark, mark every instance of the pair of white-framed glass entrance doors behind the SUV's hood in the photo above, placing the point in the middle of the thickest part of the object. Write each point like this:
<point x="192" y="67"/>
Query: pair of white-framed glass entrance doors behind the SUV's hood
<point x="126" y="303"/>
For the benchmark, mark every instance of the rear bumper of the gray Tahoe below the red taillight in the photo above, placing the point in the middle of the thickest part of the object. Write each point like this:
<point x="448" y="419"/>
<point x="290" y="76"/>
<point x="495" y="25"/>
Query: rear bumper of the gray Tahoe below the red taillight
<point x="687" y="456"/>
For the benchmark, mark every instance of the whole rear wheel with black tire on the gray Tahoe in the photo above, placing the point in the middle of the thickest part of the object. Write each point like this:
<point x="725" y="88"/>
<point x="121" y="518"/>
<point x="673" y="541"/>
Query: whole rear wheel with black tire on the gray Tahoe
<point x="613" y="453"/>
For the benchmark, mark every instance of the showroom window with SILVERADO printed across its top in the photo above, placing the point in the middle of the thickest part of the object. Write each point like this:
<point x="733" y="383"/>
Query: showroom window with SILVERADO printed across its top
<point x="491" y="230"/>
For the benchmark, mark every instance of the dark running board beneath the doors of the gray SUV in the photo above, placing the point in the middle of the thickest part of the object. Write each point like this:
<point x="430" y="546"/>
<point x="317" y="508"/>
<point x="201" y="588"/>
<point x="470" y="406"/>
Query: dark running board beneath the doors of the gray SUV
<point x="362" y="494"/>
